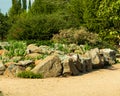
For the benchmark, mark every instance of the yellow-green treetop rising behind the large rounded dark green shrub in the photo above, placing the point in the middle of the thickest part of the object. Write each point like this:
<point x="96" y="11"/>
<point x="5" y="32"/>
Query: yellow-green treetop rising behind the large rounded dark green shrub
<point x="47" y="6"/>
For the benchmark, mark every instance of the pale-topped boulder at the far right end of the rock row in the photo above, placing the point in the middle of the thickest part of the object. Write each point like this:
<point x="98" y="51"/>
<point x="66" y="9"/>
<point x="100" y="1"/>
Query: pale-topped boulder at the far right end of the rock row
<point x="109" y="56"/>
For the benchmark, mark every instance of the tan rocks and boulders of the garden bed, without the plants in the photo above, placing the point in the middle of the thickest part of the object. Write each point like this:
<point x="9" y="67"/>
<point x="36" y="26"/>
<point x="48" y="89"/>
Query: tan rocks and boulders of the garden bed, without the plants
<point x="57" y="63"/>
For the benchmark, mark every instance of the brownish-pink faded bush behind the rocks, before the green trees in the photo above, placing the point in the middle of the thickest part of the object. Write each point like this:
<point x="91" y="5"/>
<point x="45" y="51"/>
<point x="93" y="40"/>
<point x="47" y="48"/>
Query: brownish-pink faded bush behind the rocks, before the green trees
<point x="77" y="36"/>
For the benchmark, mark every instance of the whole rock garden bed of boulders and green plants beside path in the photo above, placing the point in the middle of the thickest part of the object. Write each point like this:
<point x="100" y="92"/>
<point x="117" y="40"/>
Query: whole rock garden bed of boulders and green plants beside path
<point x="17" y="59"/>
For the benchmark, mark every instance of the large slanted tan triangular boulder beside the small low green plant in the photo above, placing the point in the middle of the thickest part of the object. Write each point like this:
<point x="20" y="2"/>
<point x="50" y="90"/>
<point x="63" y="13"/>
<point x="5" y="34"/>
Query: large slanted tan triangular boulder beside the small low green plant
<point x="49" y="67"/>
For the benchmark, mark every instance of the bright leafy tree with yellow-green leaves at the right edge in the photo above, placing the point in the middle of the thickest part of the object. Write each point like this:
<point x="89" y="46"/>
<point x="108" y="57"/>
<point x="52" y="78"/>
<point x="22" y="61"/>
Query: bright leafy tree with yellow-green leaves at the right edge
<point x="109" y="14"/>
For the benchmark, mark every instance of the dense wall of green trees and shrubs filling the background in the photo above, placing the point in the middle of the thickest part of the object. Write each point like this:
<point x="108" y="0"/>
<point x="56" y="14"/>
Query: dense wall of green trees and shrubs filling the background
<point x="44" y="18"/>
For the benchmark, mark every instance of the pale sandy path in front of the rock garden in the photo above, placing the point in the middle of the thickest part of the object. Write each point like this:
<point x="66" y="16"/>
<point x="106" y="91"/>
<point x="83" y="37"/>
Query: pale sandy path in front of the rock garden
<point x="104" y="82"/>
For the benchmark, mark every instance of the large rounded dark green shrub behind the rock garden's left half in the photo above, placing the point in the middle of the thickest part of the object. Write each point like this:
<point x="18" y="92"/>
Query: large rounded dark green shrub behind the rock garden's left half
<point x="38" y="27"/>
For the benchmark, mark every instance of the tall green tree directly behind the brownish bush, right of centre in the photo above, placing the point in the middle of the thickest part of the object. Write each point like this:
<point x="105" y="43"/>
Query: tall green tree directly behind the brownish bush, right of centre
<point x="83" y="13"/>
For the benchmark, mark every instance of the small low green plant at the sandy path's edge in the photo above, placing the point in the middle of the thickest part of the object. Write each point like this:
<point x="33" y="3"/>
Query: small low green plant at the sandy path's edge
<point x="29" y="74"/>
